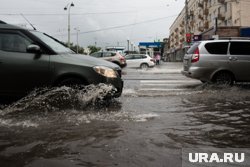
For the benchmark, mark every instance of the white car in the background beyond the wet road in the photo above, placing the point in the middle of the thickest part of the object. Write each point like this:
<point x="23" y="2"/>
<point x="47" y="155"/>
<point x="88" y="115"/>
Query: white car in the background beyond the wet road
<point x="142" y="61"/>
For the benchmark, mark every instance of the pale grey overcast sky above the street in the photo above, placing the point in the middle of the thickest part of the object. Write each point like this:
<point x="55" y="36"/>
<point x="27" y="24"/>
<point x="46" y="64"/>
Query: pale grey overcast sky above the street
<point x="104" y="22"/>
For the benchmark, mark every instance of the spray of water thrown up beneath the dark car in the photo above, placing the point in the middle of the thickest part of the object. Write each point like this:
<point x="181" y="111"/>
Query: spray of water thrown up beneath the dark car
<point x="60" y="98"/>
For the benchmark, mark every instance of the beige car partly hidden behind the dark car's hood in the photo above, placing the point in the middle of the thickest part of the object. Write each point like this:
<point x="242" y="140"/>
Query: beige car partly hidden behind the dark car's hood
<point x="114" y="57"/>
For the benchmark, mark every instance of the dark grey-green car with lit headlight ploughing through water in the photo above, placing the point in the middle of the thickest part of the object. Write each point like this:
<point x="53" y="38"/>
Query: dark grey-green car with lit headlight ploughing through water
<point x="31" y="59"/>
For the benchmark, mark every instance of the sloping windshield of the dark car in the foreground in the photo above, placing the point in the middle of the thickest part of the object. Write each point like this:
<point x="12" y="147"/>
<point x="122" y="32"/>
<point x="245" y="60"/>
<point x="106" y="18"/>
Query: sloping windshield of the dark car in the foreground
<point x="52" y="42"/>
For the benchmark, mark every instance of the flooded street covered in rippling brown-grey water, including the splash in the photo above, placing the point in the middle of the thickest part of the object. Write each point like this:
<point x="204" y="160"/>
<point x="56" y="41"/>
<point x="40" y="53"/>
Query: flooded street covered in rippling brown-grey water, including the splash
<point x="159" y="113"/>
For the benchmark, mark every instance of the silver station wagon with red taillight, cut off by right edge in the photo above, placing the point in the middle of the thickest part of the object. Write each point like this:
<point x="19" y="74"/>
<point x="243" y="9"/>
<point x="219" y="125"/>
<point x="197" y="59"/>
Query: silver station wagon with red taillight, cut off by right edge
<point x="219" y="61"/>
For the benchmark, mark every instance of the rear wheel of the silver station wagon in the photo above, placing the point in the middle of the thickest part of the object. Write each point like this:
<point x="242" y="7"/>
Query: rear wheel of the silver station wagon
<point x="224" y="78"/>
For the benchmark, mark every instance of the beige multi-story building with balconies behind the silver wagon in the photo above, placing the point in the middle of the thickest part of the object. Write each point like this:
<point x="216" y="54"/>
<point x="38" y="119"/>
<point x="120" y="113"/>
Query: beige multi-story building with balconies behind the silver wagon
<point x="203" y="19"/>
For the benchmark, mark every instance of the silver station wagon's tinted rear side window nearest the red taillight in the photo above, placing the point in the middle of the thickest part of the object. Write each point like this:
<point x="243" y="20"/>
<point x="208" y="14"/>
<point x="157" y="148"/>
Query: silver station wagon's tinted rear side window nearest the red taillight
<point x="217" y="47"/>
